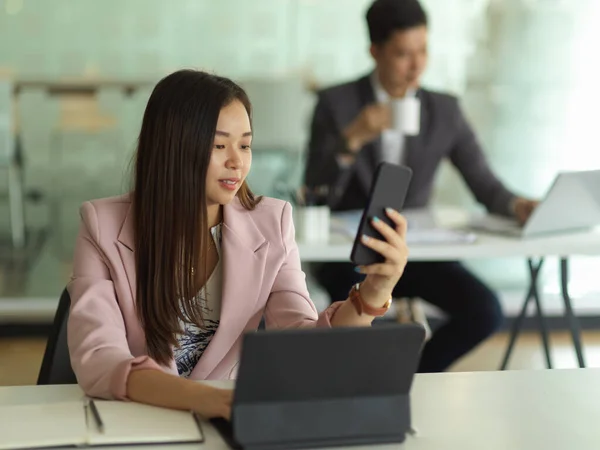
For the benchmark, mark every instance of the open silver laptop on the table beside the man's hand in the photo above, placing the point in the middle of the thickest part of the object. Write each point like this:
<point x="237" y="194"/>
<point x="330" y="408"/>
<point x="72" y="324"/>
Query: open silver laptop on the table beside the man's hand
<point x="571" y="204"/>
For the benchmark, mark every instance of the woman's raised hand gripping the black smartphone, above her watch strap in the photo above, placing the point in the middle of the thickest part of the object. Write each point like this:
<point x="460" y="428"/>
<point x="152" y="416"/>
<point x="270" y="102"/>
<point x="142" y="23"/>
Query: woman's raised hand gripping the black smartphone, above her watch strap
<point x="381" y="278"/>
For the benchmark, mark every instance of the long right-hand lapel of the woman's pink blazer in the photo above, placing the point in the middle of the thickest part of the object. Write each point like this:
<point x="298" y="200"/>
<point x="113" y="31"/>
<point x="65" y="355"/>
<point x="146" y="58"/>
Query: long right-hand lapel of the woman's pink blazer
<point x="244" y="251"/>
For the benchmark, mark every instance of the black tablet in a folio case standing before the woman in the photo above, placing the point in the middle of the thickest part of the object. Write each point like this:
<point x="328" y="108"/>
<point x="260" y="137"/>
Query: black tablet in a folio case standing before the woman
<point x="312" y="388"/>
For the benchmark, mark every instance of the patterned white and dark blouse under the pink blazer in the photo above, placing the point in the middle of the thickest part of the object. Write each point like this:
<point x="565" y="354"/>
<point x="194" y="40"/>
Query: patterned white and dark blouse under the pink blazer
<point x="194" y="340"/>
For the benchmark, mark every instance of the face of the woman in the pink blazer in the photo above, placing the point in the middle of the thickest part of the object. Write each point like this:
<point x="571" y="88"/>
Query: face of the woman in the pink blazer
<point x="231" y="155"/>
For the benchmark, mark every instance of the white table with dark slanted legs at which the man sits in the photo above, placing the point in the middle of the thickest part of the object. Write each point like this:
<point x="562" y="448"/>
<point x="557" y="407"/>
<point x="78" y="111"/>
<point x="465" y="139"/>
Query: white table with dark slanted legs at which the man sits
<point x="489" y="246"/>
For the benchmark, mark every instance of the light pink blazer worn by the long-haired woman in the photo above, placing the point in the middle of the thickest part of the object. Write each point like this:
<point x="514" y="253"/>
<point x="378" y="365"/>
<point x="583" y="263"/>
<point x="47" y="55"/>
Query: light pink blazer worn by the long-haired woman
<point x="262" y="275"/>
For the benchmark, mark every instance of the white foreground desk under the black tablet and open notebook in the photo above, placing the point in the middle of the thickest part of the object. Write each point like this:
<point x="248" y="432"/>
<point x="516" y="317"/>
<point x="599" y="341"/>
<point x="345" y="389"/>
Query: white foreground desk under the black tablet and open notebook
<point x="545" y="410"/>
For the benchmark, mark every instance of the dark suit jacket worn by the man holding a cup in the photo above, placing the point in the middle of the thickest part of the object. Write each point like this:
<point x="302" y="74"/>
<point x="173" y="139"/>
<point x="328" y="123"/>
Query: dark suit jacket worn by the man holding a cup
<point x="444" y="133"/>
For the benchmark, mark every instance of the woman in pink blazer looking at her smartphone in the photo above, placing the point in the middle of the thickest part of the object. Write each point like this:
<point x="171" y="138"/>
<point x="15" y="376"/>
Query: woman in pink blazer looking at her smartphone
<point x="192" y="257"/>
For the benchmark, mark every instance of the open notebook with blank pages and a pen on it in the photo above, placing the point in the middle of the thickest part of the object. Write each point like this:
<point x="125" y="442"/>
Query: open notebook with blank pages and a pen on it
<point x="73" y="424"/>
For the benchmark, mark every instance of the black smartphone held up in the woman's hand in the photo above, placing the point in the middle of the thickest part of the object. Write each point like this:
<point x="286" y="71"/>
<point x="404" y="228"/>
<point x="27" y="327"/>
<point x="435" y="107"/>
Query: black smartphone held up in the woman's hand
<point x="389" y="190"/>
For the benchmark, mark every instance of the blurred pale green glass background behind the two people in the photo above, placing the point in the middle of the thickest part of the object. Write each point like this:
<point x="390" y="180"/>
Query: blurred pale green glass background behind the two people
<point x="525" y="70"/>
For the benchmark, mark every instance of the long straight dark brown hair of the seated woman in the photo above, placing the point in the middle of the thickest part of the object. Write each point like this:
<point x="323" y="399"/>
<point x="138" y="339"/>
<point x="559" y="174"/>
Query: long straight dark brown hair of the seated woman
<point x="169" y="200"/>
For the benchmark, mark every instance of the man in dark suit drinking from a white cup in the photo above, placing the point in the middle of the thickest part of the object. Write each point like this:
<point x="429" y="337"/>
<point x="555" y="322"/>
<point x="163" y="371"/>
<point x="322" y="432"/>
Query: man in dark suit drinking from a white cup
<point x="351" y="133"/>
